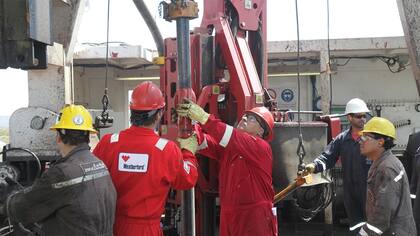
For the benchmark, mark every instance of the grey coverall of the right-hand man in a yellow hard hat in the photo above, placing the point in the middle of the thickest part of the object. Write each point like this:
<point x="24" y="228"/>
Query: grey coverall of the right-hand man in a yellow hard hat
<point x="388" y="204"/>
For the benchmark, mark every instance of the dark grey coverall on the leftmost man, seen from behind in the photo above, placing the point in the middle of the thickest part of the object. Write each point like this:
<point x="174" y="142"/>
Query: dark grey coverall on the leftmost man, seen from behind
<point x="75" y="196"/>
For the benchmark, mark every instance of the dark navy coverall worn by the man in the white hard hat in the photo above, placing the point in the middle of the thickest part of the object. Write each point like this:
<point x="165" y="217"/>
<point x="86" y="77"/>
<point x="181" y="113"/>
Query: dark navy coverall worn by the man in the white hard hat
<point x="355" y="168"/>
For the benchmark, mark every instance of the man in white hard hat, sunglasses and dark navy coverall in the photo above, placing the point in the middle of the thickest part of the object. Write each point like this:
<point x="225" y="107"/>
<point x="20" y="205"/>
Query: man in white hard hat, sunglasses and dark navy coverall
<point x="354" y="165"/>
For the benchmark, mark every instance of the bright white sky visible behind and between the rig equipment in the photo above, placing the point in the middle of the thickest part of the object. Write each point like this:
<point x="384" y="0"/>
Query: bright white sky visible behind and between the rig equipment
<point x="348" y="19"/>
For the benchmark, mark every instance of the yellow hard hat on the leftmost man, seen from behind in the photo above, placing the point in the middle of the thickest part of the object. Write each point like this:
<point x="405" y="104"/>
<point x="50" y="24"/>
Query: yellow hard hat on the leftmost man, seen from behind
<point x="74" y="117"/>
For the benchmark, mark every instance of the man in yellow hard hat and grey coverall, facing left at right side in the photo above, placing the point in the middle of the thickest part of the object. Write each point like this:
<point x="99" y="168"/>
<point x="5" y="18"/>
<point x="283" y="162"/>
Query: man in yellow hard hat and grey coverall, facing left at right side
<point x="388" y="204"/>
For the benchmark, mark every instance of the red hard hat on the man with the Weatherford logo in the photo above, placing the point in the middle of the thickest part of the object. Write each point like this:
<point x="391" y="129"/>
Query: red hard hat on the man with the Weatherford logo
<point x="147" y="96"/>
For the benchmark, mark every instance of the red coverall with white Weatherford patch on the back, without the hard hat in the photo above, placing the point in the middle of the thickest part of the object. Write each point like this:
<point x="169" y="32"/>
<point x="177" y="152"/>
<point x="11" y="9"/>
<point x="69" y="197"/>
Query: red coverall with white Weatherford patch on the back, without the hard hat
<point x="143" y="167"/>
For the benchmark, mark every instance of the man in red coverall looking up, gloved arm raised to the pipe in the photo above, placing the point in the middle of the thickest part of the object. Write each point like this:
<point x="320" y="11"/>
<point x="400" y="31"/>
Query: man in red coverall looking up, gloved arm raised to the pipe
<point x="245" y="178"/>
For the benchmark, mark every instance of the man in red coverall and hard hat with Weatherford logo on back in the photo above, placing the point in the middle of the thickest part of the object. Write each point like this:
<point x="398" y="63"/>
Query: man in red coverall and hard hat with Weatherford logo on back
<point x="144" y="166"/>
